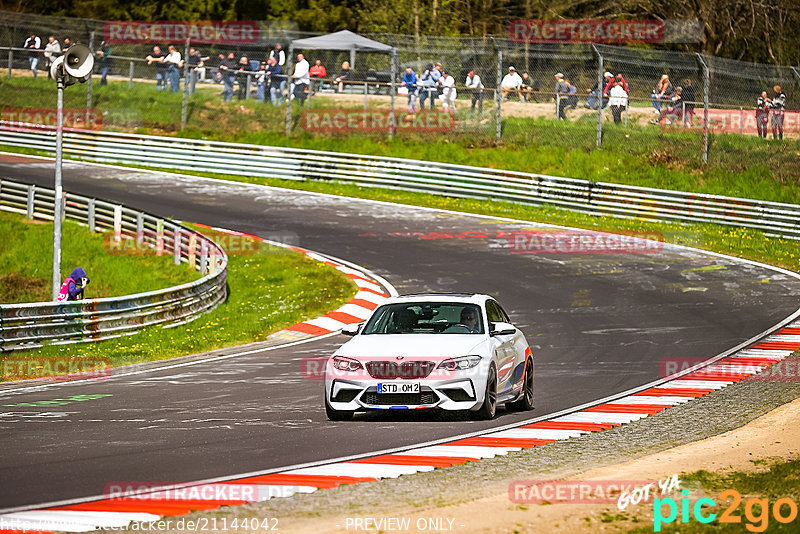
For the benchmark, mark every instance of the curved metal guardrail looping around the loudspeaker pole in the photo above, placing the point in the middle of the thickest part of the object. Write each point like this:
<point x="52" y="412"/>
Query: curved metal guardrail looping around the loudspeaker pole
<point x="28" y="325"/>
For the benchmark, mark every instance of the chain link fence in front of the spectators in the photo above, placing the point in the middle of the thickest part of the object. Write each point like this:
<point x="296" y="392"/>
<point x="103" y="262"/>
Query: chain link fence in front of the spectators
<point x="682" y="103"/>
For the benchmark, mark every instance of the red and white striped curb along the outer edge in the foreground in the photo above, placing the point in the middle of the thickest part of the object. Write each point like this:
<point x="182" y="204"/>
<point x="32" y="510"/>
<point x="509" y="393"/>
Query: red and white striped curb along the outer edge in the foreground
<point x="155" y="504"/>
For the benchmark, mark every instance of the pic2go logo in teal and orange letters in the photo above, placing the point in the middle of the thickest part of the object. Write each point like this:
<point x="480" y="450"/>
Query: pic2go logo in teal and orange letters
<point x="756" y="511"/>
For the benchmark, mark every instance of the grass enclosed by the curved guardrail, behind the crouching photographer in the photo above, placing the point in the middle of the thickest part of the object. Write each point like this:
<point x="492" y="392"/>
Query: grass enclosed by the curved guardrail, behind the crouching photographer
<point x="26" y="262"/>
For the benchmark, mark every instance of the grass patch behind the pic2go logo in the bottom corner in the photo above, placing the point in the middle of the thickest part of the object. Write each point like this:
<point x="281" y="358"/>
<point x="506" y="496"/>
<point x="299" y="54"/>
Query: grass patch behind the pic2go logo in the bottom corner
<point x="780" y="480"/>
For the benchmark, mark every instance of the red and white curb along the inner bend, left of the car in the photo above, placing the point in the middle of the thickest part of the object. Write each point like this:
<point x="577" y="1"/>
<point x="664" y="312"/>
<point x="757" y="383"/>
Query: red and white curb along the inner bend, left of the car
<point x="372" y="291"/>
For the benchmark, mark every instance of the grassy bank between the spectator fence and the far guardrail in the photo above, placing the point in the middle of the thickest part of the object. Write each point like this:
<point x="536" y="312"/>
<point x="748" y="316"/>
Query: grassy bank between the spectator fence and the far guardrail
<point x="743" y="166"/>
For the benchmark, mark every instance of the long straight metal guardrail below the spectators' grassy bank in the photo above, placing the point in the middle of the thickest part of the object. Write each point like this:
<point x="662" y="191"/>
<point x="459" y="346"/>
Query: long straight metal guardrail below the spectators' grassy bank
<point x="597" y="198"/>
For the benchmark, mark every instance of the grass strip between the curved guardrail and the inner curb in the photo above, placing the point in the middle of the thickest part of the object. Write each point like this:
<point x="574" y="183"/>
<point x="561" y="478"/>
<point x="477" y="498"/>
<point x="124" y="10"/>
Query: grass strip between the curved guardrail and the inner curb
<point x="268" y="291"/>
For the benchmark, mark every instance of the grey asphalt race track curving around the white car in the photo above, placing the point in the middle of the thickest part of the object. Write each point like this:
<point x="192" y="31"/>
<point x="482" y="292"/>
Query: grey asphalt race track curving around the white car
<point x="599" y="324"/>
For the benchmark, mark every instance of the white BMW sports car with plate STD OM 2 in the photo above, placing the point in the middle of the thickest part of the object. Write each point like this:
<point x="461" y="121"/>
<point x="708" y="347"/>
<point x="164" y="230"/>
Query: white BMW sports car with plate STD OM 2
<point x="448" y="351"/>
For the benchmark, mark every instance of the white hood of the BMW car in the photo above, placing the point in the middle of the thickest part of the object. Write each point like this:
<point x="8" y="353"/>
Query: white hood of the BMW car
<point x="412" y="345"/>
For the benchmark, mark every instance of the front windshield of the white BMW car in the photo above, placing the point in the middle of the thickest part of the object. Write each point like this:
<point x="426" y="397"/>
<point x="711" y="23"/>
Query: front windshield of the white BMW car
<point x="426" y="318"/>
